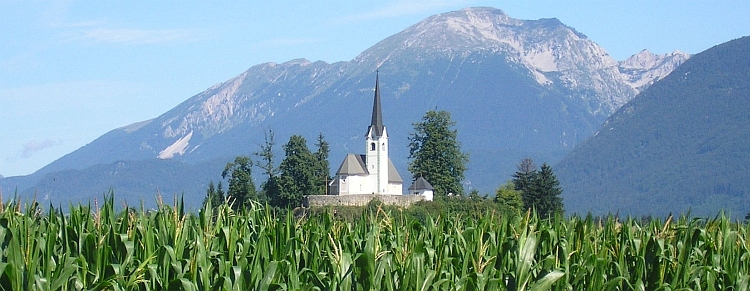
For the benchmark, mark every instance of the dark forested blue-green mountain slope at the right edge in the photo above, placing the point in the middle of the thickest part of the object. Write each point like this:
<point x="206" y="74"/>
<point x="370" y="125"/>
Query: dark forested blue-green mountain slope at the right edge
<point x="682" y="144"/>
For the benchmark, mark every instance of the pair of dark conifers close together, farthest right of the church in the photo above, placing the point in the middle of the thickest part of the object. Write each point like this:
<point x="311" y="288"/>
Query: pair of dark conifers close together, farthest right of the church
<point x="540" y="190"/>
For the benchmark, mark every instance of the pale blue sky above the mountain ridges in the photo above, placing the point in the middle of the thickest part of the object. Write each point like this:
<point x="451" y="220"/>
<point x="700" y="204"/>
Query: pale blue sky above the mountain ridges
<point x="71" y="71"/>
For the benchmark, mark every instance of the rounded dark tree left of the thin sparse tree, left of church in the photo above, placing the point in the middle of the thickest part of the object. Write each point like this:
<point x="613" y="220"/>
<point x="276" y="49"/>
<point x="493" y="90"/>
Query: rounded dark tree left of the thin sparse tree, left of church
<point x="241" y="186"/>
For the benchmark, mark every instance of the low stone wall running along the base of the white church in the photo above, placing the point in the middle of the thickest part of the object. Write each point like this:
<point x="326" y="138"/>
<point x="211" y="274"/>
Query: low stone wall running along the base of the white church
<point x="359" y="200"/>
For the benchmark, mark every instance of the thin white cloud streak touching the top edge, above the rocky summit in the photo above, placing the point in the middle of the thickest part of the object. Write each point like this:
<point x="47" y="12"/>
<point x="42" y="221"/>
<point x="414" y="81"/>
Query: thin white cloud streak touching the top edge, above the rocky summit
<point x="402" y="8"/>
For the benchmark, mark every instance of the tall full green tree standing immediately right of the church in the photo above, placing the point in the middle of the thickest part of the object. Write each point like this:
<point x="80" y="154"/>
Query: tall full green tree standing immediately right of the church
<point x="435" y="153"/>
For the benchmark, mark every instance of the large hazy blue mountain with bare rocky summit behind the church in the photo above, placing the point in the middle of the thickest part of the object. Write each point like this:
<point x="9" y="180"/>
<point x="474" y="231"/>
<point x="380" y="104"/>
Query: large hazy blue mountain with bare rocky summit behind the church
<point x="516" y="88"/>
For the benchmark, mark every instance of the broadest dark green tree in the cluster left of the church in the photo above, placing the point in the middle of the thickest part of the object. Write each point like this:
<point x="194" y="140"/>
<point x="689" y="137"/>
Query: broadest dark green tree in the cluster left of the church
<point x="296" y="173"/>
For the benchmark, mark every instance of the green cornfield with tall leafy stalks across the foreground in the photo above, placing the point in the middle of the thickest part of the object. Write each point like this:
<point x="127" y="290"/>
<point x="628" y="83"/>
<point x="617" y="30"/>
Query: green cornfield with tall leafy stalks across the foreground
<point x="99" y="248"/>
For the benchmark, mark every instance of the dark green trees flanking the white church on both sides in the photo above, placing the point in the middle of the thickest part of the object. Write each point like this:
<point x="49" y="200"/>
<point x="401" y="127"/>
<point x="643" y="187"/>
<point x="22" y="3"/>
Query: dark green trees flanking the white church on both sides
<point x="434" y="154"/>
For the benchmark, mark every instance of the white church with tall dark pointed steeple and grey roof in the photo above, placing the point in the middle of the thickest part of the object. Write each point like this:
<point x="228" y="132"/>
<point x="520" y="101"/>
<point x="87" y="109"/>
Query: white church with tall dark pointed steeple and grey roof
<point x="373" y="172"/>
